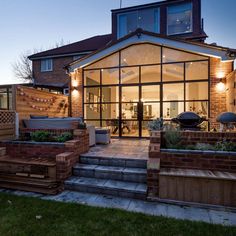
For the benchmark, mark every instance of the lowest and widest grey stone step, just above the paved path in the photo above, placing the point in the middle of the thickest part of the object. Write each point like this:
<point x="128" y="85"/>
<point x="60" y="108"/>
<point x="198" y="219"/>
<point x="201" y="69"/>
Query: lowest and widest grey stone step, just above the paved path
<point x="106" y="186"/>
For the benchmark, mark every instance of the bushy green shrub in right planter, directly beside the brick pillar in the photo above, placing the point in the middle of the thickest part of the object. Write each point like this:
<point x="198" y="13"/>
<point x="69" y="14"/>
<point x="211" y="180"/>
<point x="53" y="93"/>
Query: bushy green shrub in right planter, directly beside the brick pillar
<point x="172" y="137"/>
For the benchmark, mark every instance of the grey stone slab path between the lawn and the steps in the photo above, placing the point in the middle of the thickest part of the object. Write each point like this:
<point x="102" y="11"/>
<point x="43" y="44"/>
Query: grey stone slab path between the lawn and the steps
<point x="193" y="213"/>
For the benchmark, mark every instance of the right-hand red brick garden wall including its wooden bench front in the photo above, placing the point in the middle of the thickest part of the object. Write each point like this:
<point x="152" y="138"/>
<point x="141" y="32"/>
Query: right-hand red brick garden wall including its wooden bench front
<point x="218" y="168"/>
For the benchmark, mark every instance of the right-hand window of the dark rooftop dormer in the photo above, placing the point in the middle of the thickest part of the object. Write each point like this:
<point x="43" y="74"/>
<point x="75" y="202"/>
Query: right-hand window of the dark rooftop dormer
<point x="179" y="19"/>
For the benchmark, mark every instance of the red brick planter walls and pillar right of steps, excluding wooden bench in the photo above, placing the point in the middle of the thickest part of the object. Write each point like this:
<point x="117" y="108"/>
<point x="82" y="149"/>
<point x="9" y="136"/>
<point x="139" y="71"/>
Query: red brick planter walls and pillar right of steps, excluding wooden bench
<point x="187" y="159"/>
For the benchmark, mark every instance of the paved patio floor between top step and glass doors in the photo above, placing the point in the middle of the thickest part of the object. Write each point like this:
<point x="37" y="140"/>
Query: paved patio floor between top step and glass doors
<point x="122" y="148"/>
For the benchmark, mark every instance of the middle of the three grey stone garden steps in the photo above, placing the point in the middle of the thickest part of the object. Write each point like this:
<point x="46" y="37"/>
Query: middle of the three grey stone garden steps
<point x="138" y="175"/>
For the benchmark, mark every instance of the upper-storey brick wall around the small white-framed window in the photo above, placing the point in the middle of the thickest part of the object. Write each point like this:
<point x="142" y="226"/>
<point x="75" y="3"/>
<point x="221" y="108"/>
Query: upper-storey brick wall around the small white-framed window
<point x="56" y="77"/>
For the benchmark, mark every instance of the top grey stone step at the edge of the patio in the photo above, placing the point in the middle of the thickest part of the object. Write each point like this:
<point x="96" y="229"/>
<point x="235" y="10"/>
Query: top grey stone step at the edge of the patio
<point x="110" y="161"/>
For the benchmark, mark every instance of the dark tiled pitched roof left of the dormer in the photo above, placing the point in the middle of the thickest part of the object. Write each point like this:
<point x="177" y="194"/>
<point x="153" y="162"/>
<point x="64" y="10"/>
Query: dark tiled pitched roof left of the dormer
<point x="83" y="46"/>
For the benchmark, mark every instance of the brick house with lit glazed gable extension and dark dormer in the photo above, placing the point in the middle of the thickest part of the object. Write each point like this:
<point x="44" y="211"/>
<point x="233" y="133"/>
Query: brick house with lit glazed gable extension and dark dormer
<point x="154" y="64"/>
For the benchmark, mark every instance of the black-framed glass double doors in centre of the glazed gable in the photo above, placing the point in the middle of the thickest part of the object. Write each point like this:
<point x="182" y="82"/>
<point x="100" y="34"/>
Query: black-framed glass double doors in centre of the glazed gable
<point x="139" y="105"/>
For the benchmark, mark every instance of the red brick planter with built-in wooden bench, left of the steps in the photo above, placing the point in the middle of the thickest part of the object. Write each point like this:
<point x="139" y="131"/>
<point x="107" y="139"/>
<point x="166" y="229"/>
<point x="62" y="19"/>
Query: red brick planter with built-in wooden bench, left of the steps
<point x="50" y="162"/>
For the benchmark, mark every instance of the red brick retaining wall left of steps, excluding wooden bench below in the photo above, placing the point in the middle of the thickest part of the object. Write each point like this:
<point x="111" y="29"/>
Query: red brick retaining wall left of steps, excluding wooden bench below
<point x="65" y="154"/>
